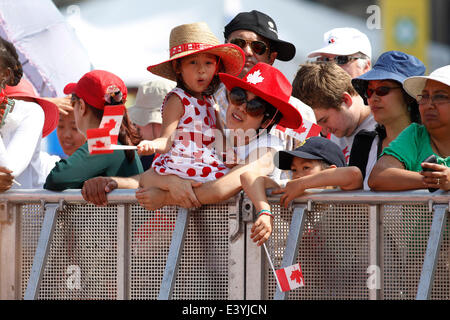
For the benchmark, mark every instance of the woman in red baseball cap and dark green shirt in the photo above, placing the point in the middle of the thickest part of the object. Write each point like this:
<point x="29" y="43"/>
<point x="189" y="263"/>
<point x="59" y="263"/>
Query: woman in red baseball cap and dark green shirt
<point x="90" y="95"/>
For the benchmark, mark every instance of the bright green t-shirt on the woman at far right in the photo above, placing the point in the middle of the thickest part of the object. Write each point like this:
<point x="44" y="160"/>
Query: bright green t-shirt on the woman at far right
<point x="412" y="146"/>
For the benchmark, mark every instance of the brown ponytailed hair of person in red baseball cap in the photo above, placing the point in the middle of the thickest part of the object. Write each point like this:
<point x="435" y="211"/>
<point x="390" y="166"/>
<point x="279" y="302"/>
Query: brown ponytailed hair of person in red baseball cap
<point x="128" y="133"/>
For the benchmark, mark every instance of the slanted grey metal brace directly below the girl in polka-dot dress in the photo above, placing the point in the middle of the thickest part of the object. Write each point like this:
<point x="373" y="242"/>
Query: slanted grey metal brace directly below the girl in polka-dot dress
<point x="175" y="251"/>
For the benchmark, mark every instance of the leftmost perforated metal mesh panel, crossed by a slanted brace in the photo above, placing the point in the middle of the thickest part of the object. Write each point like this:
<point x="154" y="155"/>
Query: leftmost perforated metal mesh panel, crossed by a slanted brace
<point x="82" y="262"/>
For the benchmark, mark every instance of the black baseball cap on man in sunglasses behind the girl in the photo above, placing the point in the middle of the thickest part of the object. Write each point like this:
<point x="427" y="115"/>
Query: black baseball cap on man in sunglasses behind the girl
<point x="264" y="26"/>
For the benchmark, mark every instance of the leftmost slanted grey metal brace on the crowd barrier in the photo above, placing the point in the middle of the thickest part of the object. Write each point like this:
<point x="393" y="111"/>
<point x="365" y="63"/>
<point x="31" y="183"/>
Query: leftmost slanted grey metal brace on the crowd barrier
<point x="42" y="250"/>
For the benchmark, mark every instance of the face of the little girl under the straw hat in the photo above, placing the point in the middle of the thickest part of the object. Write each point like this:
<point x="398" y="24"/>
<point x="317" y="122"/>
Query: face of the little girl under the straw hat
<point x="198" y="70"/>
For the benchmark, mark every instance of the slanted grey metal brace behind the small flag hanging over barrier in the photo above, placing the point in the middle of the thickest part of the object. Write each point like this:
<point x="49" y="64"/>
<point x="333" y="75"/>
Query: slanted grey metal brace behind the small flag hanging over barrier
<point x="292" y="244"/>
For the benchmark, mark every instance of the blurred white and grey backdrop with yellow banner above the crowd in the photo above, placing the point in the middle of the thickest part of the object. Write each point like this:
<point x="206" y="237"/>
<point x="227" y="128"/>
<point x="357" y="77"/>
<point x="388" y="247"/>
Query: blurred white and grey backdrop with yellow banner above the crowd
<point x="127" y="36"/>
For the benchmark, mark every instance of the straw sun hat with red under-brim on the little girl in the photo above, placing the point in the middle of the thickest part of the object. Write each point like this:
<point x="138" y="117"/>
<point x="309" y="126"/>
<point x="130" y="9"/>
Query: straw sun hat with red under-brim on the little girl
<point x="193" y="38"/>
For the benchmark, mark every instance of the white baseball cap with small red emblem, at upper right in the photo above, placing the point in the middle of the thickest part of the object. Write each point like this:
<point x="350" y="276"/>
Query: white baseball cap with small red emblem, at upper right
<point x="344" y="42"/>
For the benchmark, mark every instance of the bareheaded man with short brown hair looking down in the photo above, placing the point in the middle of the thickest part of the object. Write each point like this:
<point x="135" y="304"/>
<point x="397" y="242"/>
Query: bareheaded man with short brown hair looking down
<point x="339" y="109"/>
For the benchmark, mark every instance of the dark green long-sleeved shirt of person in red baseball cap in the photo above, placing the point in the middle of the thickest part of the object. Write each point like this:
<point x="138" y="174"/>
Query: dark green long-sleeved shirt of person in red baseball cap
<point x="71" y="173"/>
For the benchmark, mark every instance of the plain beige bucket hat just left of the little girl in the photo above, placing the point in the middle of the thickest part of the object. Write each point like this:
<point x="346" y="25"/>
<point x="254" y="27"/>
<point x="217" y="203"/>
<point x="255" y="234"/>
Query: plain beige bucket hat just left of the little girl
<point x="149" y="98"/>
